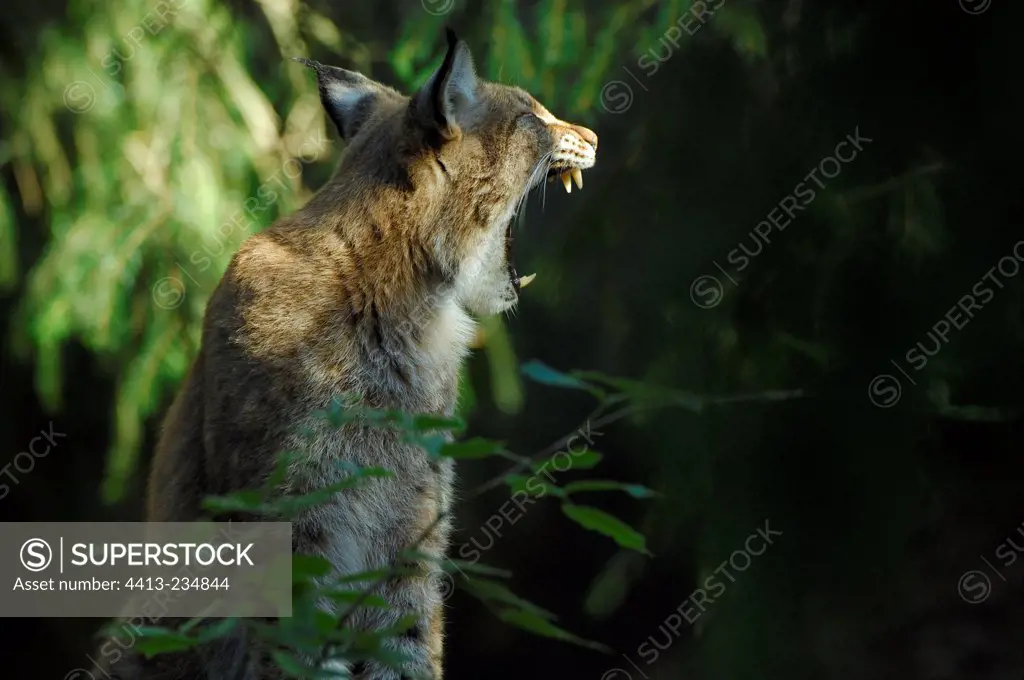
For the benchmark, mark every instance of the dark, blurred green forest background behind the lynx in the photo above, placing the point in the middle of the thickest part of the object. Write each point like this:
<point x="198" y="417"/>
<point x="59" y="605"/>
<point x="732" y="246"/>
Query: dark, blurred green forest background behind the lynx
<point x="883" y="511"/>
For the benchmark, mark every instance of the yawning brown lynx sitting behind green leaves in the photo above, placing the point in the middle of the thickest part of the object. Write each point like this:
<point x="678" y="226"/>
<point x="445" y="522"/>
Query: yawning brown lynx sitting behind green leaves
<point x="369" y="290"/>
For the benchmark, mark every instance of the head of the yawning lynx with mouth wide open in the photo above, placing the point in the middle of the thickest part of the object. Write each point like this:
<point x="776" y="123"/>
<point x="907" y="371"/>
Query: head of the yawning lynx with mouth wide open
<point x="444" y="173"/>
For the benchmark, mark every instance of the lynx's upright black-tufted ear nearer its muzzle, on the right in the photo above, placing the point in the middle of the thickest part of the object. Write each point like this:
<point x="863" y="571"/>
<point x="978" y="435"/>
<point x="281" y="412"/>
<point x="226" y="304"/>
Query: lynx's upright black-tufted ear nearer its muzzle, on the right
<point x="448" y="101"/>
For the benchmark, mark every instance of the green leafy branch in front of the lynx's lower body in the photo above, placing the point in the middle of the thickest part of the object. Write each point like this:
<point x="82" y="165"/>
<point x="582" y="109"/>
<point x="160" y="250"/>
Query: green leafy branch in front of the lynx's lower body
<point x="301" y="646"/>
